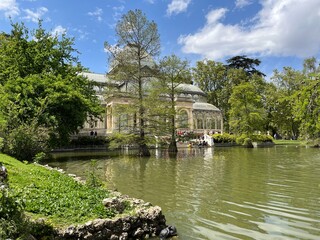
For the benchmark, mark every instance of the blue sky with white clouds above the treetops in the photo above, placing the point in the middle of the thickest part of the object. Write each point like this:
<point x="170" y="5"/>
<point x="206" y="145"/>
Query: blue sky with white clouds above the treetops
<point x="278" y="32"/>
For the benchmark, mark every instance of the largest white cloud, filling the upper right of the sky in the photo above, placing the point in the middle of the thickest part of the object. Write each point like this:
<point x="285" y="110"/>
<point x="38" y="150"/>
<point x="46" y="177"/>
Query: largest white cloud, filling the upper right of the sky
<point x="281" y="28"/>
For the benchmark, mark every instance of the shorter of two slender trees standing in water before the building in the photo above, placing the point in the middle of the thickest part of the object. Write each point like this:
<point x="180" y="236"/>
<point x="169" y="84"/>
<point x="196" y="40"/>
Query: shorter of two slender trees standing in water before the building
<point x="173" y="72"/>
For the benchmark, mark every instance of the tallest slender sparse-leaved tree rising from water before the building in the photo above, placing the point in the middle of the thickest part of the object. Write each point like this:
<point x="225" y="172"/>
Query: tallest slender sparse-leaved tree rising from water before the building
<point x="131" y="60"/>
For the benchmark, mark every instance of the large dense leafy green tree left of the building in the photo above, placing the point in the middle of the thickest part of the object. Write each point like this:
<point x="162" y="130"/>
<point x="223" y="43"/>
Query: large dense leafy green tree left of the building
<point x="41" y="85"/>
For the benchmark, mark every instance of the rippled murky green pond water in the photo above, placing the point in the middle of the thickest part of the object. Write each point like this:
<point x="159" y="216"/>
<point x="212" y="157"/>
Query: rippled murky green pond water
<point x="219" y="193"/>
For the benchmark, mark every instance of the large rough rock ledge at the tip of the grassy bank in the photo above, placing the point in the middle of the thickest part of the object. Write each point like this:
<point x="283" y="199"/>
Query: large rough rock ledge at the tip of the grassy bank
<point x="146" y="221"/>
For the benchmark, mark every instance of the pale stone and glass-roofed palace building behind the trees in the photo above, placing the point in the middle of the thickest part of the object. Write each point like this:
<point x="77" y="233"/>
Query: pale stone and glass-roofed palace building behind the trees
<point x="194" y="113"/>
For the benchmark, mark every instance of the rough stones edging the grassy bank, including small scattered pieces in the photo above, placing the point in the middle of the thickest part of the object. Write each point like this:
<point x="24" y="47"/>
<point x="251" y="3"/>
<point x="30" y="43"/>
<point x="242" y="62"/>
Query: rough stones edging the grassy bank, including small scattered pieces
<point x="142" y="222"/>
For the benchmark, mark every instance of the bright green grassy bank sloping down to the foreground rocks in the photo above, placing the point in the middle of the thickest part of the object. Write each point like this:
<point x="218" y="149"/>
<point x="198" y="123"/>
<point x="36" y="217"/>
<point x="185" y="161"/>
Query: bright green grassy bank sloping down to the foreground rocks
<point x="54" y="196"/>
